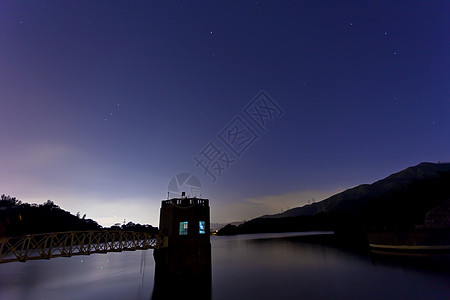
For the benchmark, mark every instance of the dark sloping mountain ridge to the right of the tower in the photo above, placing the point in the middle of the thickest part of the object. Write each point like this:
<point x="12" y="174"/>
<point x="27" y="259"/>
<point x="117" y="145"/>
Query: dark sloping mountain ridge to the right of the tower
<point x="399" y="201"/>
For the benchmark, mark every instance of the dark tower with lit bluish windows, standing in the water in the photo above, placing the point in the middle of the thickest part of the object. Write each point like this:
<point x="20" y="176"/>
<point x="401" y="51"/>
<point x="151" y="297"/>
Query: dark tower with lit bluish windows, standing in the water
<point x="184" y="253"/>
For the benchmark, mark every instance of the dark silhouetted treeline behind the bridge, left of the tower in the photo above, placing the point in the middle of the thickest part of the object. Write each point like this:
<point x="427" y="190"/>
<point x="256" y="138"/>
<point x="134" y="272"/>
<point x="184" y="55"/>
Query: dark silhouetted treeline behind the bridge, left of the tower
<point x="18" y="219"/>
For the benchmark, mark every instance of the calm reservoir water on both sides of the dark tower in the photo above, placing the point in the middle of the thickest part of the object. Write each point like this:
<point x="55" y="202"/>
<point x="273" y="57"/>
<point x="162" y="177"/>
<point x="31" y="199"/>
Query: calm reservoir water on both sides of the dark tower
<point x="263" y="266"/>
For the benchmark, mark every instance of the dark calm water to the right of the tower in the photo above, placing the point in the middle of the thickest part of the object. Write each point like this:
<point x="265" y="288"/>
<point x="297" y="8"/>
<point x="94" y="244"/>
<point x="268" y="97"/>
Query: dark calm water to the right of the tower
<point x="275" y="266"/>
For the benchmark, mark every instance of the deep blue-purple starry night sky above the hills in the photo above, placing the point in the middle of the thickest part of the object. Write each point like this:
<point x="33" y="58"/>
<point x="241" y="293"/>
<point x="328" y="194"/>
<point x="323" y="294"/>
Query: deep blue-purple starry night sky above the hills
<point x="260" y="106"/>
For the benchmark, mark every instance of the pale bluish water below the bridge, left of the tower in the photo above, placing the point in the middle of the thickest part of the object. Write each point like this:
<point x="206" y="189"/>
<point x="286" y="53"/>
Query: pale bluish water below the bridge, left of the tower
<point x="125" y="275"/>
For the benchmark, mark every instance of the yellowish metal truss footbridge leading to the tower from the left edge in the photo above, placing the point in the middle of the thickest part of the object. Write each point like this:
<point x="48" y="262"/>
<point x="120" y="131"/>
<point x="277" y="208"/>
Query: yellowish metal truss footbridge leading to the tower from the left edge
<point x="50" y="245"/>
